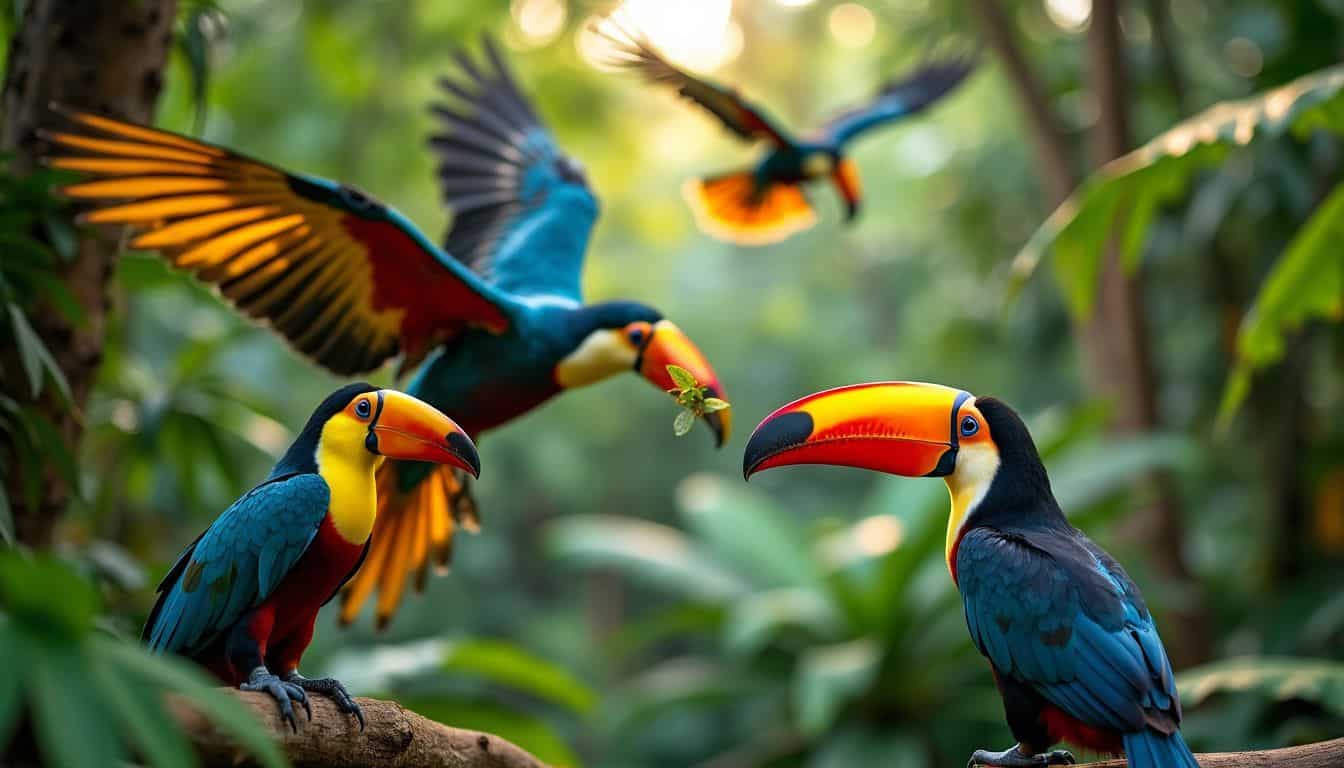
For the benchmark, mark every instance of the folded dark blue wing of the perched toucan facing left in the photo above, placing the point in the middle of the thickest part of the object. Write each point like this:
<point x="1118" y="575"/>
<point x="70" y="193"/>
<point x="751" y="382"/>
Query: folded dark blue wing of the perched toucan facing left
<point x="1068" y="622"/>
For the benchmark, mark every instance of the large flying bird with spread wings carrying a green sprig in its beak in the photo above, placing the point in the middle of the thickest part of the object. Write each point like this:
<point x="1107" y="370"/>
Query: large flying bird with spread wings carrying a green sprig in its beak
<point x="497" y="315"/>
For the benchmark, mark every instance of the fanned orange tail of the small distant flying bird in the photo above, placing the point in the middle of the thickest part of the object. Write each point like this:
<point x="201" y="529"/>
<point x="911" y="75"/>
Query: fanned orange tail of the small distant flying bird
<point x="736" y="208"/>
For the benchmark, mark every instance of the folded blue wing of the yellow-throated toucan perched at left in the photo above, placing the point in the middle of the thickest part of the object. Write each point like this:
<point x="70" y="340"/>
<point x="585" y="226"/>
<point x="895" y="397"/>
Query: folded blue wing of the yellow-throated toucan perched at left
<point x="237" y="563"/>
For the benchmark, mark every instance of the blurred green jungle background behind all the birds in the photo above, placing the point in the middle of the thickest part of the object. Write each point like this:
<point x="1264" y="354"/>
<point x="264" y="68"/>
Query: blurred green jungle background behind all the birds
<point x="631" y="602"/>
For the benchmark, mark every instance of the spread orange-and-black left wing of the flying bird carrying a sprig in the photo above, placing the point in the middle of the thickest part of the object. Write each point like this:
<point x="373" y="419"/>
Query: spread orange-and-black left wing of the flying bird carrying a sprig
<point x="345" y="279"/>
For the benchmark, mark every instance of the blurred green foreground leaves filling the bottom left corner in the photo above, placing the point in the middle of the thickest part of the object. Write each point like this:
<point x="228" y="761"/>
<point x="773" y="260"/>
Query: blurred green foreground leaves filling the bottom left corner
<point x="95" y="700"/>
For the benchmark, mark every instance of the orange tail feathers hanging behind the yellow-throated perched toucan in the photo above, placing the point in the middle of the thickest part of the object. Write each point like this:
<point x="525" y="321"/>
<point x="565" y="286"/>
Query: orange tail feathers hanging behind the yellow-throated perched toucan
<point x="413" y="533"/>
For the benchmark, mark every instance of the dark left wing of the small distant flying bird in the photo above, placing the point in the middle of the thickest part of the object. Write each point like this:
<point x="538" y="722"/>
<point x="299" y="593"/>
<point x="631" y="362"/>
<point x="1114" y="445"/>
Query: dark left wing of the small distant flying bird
<point x="635" y="53"/>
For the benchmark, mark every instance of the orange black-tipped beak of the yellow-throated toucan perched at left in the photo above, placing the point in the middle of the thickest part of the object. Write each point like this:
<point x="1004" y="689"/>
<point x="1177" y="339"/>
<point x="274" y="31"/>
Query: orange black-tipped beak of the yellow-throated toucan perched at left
<point x="412" y="430"/>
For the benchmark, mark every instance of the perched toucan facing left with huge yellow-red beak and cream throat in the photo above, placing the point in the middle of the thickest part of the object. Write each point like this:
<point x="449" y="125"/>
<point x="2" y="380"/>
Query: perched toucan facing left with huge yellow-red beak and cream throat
<point x="1073" y="648"/>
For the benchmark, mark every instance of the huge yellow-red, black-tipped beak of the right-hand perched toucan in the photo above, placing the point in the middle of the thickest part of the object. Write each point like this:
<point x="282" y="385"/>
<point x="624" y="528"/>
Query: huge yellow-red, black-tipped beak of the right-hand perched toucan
<point x="904" y="428"/>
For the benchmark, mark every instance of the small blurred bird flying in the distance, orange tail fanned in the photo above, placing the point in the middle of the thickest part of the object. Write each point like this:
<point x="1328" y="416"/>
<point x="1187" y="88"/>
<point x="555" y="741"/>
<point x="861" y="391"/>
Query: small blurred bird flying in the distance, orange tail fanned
<point x="767" y="204"/>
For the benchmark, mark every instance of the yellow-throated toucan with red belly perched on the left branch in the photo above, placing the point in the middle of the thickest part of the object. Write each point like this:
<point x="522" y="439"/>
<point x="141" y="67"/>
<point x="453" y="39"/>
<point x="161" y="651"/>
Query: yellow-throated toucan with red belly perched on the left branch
<point x="243" y="599"/>
